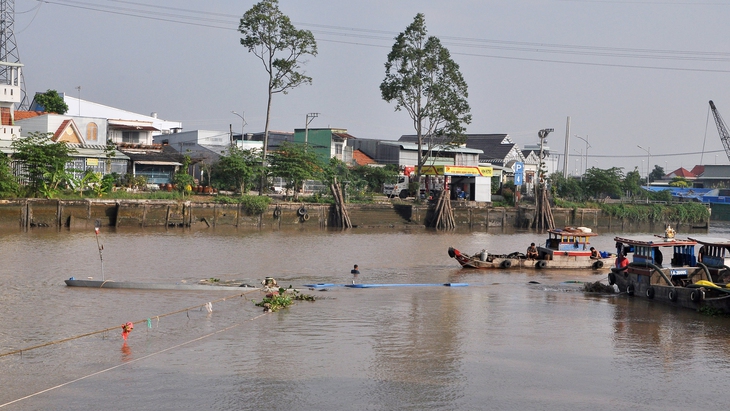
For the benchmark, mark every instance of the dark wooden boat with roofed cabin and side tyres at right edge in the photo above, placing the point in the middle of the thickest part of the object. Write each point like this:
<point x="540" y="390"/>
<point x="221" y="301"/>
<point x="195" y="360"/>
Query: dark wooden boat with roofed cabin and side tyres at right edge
<point x="682" y="281"/>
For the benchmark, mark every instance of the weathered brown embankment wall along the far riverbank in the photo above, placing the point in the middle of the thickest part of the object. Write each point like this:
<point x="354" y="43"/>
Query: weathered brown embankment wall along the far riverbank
<point x="82" y="214"/>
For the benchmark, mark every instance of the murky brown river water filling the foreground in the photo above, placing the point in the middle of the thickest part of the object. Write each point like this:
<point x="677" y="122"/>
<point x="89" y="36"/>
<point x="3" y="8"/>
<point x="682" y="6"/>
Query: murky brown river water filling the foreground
<point x="501" y="343"/>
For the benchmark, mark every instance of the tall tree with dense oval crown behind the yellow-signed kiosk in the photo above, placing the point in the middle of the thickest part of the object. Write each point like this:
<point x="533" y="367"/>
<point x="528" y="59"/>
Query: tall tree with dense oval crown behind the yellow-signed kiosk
<point x="423" y="80"/>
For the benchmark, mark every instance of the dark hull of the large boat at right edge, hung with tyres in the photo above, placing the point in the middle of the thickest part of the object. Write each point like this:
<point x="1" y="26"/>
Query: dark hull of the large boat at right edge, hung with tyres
<point x="691" y="296"/>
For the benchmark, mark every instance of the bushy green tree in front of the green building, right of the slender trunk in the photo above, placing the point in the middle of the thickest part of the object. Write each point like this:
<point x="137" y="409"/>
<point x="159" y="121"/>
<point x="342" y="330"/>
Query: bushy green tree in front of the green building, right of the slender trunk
<point x="294" y="163"/>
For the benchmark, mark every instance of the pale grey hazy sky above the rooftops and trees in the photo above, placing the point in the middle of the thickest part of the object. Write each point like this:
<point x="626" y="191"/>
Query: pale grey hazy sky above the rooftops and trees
<point x="634" y="77"/>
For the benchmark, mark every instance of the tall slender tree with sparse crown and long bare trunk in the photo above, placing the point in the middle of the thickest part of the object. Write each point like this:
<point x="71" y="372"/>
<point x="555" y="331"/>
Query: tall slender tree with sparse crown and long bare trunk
<point x="270" y="36"/>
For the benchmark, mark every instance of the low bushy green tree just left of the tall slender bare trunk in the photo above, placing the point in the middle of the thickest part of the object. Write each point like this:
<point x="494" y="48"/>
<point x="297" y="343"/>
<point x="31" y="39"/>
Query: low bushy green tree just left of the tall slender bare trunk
<point x="237" y="169"/>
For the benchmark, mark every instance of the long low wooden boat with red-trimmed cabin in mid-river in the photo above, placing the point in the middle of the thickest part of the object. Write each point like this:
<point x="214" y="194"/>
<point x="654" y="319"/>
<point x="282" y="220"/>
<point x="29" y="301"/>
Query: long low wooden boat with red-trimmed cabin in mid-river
<point x="565" y="248"/>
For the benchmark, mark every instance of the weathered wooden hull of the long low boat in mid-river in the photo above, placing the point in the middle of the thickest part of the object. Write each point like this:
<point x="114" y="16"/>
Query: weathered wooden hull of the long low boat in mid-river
<point x="504" y="262"/>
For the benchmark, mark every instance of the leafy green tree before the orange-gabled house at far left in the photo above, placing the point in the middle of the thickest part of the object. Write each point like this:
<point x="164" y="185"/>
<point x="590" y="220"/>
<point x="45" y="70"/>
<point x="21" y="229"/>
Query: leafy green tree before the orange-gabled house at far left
<point x="44" y="163"/>
